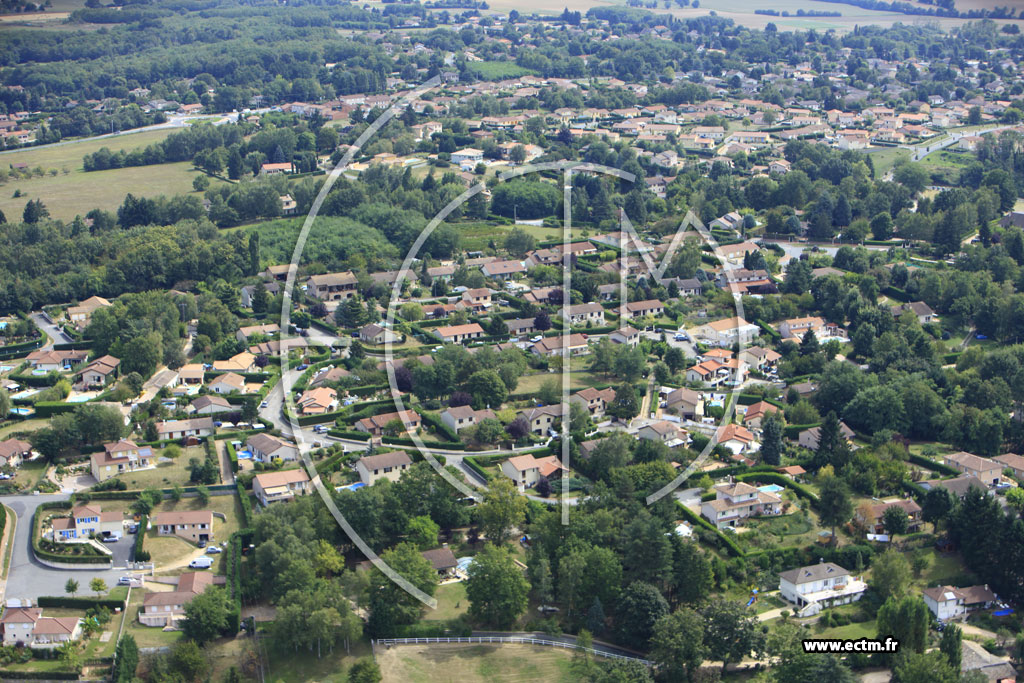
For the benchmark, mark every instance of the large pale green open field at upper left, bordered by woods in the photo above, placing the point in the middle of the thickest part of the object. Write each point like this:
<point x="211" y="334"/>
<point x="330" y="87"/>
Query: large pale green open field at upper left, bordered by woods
<point x="76" y="193"/>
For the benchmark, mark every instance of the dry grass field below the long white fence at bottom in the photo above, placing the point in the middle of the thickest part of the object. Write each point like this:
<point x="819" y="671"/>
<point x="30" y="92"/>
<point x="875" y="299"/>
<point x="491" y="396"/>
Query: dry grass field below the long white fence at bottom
<point x="473" y="664"/>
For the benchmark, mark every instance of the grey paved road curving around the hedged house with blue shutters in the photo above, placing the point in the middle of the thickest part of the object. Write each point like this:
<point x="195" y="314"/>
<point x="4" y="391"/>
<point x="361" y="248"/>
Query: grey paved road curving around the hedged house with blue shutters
<point x="30" y="579"/>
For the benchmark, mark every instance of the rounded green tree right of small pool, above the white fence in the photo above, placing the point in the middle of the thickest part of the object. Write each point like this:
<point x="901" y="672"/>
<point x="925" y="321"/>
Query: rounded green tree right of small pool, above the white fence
<point x="496" y="588"/>
